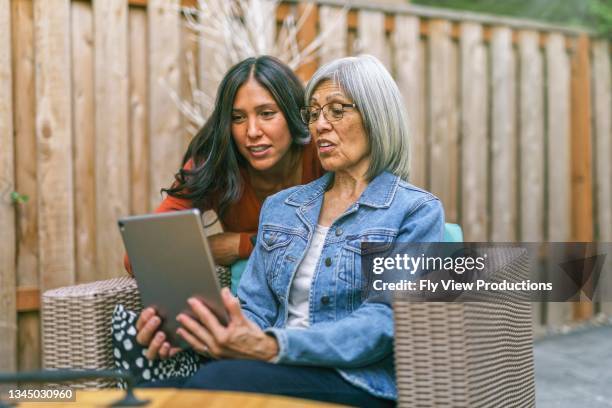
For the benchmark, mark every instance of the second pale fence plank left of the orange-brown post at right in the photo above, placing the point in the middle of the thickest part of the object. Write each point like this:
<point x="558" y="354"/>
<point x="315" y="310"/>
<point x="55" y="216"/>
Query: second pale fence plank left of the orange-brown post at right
<point x="531" y="111"/>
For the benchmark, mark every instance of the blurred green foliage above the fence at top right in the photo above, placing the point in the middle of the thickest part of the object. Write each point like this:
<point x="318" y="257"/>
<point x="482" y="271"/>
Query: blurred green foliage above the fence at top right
<point x="595" y="15"/>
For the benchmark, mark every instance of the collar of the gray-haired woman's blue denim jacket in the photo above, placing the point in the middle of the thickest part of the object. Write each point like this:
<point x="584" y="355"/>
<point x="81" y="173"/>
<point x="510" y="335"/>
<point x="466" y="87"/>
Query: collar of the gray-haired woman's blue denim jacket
<point x="378" y="194"/>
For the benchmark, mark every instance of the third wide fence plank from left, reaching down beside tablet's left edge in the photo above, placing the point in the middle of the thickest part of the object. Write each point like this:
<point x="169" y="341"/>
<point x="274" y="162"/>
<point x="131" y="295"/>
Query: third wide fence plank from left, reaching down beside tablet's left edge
<point x="111" y="110"/>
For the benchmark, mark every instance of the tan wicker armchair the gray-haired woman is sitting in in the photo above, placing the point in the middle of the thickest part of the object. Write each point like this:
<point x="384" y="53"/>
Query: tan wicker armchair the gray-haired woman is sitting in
<point x="477" y="353"/>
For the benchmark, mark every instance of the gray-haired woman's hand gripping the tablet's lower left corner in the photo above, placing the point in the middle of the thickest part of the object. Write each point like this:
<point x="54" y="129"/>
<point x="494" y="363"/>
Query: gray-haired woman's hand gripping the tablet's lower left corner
<point x="149" y="336"/>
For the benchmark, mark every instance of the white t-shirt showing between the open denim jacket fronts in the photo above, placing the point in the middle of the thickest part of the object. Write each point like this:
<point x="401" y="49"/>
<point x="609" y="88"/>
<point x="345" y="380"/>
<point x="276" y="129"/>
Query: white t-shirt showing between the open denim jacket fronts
<point x="299" y="292"/>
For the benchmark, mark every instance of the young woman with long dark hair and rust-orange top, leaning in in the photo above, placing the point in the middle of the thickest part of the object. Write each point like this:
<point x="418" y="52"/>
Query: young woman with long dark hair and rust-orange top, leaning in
<point x="253" y="145"/>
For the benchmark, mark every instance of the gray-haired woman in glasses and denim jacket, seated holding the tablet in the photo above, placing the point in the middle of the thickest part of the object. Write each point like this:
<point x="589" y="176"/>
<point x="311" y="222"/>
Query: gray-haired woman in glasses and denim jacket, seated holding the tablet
<point x="301" y="326"/>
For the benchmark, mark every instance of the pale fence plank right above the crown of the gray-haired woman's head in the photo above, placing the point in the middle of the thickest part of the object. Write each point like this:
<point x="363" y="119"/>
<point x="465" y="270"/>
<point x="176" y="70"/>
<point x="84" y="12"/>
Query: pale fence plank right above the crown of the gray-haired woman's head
<point x="372" y="37"/>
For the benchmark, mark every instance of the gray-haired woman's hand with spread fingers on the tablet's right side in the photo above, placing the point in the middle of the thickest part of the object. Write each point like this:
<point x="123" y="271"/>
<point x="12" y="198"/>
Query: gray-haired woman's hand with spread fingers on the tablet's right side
<point x="241" y="338"/>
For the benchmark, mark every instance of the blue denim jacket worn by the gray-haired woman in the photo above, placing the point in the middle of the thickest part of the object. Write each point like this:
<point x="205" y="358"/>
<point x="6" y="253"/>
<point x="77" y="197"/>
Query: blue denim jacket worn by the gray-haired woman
<point x="347" y="333"/>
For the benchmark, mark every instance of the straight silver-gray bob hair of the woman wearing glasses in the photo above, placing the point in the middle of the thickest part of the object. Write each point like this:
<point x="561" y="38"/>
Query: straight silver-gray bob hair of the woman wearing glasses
<point x="367" y="82"/>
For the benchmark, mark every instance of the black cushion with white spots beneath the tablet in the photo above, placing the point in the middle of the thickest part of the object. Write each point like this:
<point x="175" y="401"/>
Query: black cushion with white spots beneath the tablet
<point x="130" y="356"/>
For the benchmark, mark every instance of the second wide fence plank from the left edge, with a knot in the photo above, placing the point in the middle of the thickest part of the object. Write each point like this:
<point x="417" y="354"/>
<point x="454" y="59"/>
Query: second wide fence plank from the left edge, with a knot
<point x="54" y="141"/>
